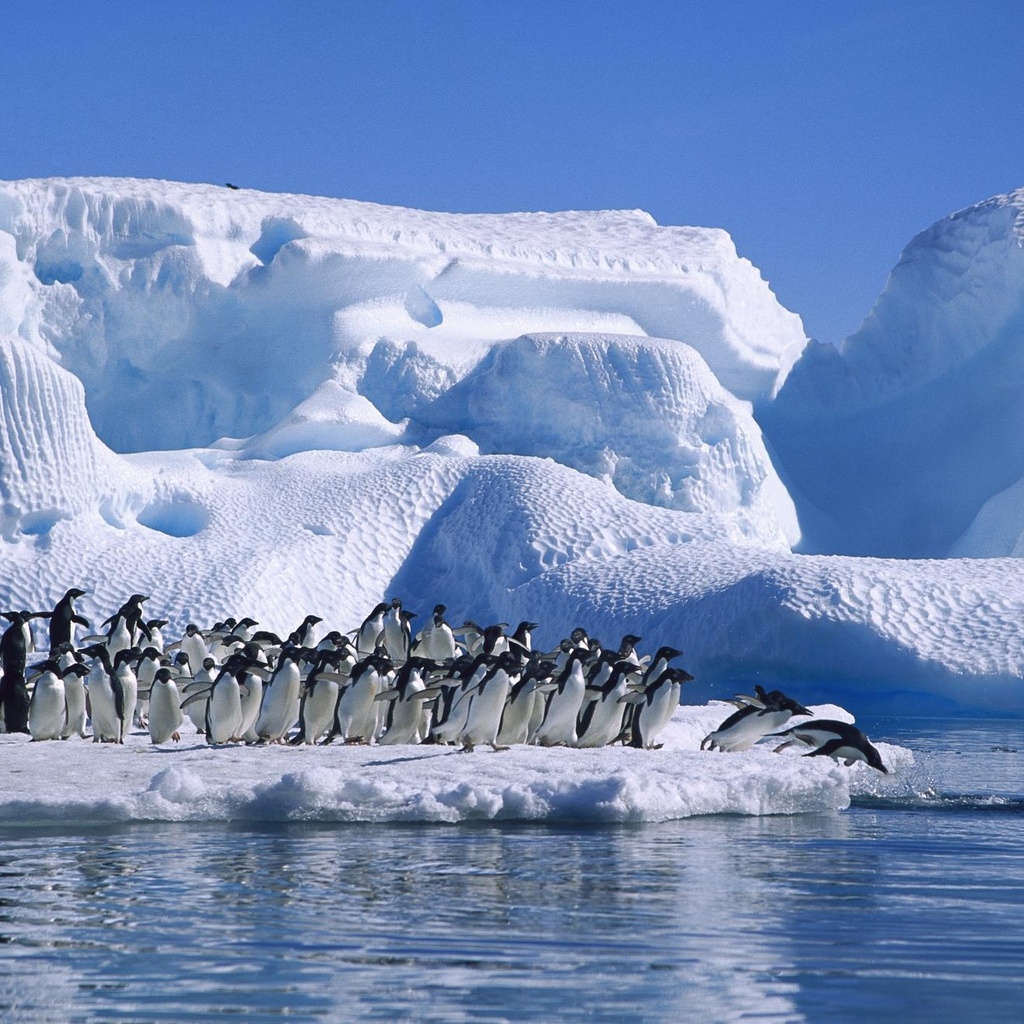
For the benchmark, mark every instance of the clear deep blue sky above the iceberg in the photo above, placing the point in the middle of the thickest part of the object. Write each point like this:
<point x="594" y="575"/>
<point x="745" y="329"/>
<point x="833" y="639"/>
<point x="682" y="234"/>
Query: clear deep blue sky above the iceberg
<point x="822" y="136"/>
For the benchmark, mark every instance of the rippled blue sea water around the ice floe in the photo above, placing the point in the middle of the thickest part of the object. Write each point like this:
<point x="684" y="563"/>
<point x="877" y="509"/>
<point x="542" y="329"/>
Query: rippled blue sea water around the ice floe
<point x="904" y="909"/>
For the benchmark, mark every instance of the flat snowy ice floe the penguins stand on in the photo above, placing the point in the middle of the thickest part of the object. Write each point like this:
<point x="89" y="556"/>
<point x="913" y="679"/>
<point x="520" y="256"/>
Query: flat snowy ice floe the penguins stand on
<point x="80" y="784"/>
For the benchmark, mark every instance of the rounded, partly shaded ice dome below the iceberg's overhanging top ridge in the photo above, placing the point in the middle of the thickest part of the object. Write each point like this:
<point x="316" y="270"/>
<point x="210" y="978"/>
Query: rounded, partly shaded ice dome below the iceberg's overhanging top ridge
<point x="647" y="416"/>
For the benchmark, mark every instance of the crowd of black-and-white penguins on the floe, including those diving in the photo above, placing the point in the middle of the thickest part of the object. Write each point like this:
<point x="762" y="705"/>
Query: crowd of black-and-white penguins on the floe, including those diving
<point x="470" y="687"/>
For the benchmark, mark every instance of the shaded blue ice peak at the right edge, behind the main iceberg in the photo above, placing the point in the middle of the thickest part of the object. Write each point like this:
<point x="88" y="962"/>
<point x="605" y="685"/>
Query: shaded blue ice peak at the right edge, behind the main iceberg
<point x="894" y="443"/>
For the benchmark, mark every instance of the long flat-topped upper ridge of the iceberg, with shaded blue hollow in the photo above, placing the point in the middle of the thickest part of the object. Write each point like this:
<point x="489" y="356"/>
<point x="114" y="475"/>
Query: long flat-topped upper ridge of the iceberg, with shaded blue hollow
<point x="181" y="285"/>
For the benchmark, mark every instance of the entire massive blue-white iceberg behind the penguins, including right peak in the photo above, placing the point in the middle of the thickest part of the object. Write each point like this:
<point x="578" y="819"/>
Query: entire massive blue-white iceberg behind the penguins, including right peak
<point x="272" y="405"/>
